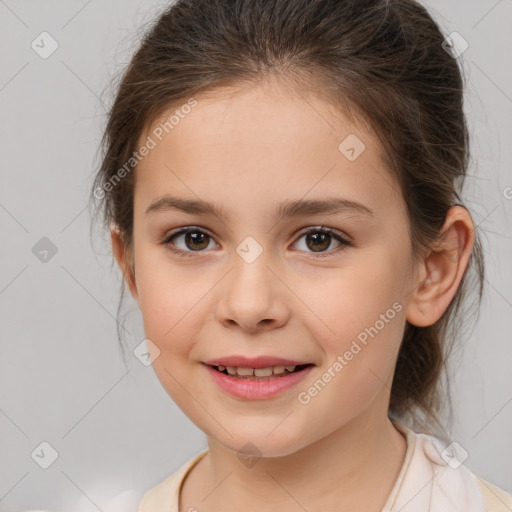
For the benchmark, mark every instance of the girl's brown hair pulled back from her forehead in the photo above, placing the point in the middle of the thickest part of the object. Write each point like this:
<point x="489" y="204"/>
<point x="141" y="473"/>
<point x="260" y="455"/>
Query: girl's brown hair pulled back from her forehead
<point x="381" y="62"/>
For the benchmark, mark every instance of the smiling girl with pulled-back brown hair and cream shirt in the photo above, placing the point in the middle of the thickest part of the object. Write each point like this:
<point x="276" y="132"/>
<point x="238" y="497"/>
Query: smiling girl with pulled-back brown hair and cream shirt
<point x="282" y="182"/>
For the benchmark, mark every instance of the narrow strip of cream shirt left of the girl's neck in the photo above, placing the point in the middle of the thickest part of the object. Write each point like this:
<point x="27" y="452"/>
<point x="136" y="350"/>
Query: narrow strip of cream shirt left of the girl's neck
<point x="163" y="497"/>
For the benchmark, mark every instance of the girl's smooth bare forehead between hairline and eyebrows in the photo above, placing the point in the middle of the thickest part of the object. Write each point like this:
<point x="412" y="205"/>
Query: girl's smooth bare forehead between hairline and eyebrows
<point x="267" y="141"/>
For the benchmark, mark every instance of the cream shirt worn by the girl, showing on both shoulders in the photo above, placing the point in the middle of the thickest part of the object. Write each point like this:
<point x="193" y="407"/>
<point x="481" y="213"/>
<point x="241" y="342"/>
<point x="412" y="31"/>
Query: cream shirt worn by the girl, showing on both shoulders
<point x="429" y="481"/>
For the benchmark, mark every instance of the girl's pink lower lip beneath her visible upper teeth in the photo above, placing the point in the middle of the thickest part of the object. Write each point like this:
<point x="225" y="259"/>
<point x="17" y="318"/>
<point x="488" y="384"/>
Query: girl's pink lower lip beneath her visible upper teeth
<point x="257" y="389"/>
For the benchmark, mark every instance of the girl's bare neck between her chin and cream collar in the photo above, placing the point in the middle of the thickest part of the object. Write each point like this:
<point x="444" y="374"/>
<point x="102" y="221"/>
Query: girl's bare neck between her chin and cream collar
<point x="354" y="468"/>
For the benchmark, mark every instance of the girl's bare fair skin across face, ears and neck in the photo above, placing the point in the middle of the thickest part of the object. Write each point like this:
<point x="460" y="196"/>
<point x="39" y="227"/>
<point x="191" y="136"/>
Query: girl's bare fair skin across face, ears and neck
<point x="248" y="151"/>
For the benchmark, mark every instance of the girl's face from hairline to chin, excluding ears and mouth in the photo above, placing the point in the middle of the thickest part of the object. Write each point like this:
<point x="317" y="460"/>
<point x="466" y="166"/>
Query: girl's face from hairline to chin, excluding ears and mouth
<point x="249" y="281"/>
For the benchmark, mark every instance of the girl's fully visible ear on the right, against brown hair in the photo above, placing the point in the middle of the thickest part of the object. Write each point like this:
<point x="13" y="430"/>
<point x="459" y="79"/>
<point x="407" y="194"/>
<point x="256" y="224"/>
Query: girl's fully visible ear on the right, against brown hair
<point x="441" y="271"/>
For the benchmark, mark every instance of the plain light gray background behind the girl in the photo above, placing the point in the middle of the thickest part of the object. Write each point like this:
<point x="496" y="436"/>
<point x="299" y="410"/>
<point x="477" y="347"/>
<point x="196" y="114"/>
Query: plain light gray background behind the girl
<point x="62" y="378"/>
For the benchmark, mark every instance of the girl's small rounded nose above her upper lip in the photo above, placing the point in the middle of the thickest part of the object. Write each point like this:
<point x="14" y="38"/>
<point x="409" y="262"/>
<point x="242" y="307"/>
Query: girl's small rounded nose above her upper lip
<point x="253" y="297"/>
